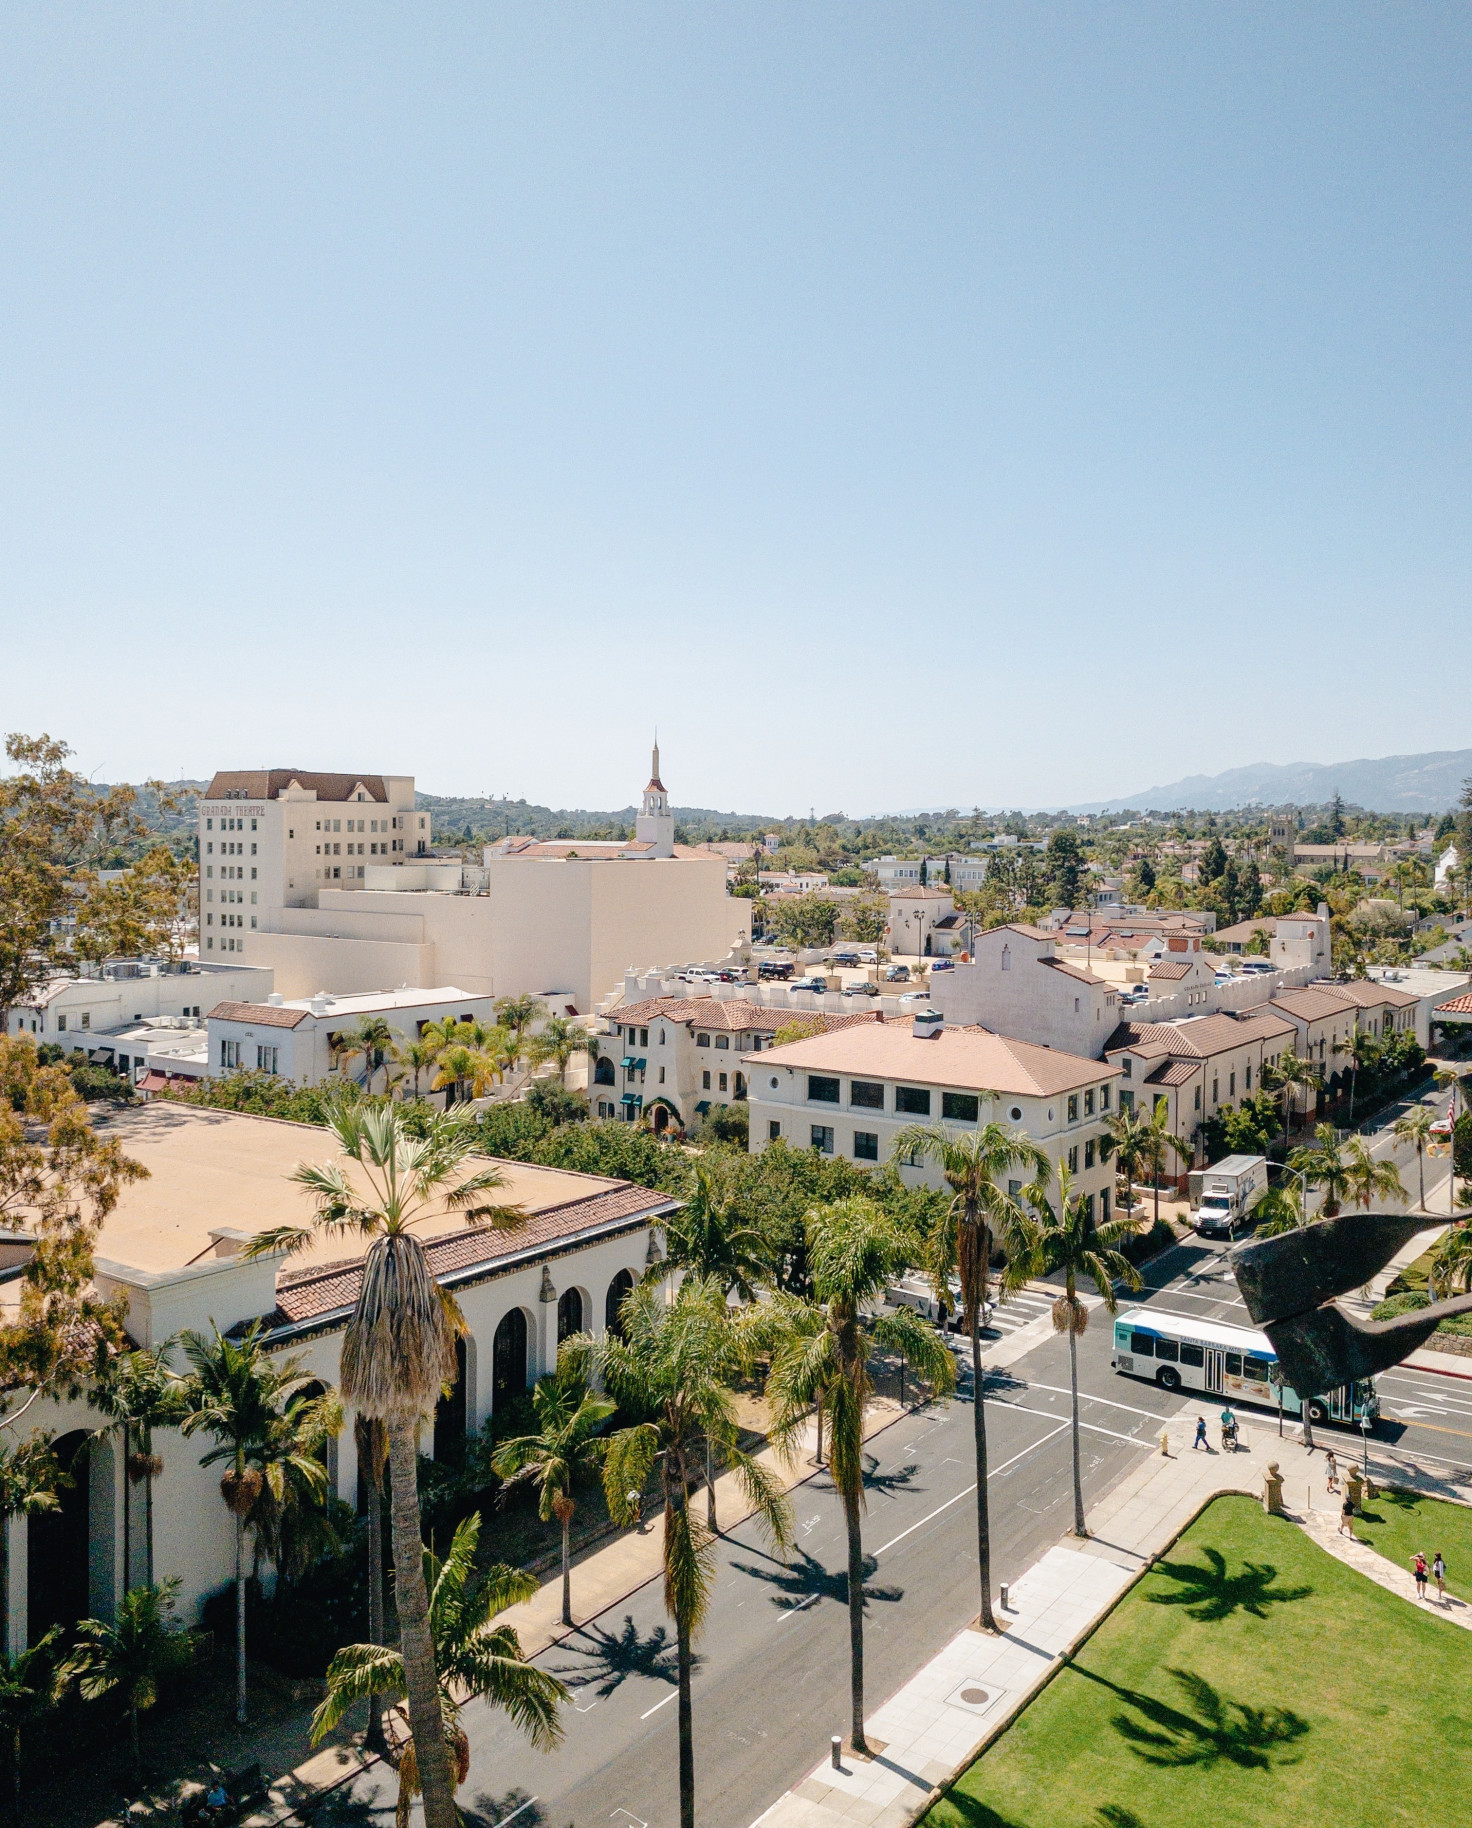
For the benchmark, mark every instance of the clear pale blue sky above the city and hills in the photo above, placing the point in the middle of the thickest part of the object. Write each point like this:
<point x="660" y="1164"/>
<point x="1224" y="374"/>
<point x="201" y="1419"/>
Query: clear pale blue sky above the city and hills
<point x="901" y="405"/>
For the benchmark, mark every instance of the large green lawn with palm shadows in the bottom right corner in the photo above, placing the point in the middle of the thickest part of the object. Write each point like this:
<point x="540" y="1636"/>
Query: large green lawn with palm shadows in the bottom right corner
<point x="1248" y="1683"/>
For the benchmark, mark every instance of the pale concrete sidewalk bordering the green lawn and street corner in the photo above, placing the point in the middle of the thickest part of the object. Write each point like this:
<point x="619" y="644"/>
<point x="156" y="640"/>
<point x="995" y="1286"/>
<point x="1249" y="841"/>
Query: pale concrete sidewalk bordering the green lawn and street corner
<point x="963" y="1699"/>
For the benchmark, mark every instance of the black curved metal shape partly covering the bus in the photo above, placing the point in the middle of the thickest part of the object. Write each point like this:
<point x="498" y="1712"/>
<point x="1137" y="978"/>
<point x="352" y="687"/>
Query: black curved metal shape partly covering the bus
<point x="1290" y="1284"/>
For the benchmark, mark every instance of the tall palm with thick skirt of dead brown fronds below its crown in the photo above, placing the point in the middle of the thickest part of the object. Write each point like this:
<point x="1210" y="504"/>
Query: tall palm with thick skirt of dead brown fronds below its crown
<point x="400" y="1346"/>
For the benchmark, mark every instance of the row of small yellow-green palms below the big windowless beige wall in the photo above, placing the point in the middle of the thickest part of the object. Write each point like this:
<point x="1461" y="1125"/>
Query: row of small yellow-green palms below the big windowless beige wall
<point x="464" y="1059"/>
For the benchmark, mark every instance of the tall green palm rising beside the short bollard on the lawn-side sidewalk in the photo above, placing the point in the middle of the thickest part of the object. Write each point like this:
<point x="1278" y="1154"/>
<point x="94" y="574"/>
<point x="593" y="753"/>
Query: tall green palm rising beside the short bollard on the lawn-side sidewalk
<point x="820" y="1352"/>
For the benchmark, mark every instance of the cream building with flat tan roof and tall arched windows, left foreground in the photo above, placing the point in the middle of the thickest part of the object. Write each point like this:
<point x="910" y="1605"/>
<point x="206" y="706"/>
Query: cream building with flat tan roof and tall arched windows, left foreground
<point x="173" y="1253"/>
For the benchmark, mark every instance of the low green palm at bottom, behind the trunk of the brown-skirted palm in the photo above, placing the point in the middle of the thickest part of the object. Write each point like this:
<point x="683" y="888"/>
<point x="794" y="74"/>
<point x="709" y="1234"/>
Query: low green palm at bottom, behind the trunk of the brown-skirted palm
<point x="473" y="1659"/>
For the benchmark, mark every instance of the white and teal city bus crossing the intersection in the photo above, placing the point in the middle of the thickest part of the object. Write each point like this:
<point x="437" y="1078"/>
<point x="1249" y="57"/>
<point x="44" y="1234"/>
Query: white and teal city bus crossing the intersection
<point x="1180" y="1352"/>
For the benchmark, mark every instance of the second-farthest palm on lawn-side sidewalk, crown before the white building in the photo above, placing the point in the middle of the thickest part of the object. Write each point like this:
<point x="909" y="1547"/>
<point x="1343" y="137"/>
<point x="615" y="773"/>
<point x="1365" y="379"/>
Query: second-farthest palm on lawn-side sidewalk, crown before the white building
<point x="977" y="1165"/>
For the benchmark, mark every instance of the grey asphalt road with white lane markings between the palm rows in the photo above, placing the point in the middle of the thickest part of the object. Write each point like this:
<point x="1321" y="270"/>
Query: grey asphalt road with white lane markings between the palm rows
<point x="773" y="1679"/>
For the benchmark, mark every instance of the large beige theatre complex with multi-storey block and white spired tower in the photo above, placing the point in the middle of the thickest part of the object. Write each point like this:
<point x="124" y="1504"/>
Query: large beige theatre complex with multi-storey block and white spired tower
<point x="564" y="919"/>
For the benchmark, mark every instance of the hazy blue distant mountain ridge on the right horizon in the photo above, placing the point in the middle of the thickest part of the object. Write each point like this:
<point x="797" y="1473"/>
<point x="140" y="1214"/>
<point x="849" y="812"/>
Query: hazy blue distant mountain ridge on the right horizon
<point x="1392" y="783"/>
